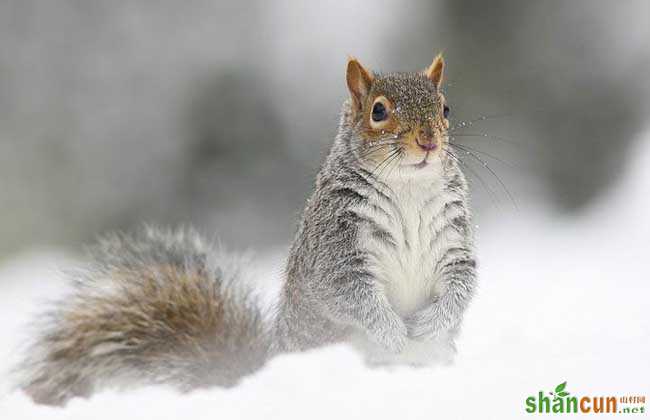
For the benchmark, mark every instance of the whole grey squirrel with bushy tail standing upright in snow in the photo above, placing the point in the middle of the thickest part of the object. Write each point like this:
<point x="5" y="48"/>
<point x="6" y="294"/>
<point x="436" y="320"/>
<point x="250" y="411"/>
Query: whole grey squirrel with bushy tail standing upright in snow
<point x="383" y="258"/>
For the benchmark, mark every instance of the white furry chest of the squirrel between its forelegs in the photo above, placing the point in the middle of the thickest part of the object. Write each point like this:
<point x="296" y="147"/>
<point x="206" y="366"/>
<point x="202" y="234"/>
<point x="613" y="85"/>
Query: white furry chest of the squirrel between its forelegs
<point x="412" y="229"/>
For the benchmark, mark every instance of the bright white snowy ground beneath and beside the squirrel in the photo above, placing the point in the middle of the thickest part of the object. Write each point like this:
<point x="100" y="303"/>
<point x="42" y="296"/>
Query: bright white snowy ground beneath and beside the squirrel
<point x="559" y="300"/>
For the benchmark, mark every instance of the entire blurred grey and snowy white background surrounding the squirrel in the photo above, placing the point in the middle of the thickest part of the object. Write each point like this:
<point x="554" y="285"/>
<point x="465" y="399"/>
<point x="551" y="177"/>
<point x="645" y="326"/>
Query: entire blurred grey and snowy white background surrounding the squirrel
<point x="217" y="114"/>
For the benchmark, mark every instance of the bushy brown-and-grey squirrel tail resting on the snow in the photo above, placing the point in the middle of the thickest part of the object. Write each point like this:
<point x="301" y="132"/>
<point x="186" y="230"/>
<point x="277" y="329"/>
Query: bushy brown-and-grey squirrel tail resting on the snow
<point x="153" y="307"/>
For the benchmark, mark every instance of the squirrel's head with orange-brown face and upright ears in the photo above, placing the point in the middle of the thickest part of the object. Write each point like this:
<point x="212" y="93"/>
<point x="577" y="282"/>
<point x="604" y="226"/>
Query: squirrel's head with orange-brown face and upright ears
<point x="397" y="117"/>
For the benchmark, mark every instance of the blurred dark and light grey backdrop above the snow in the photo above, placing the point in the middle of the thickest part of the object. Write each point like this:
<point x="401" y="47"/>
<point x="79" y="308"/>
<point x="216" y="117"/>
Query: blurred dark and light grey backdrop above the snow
<point x="218" y="113"/>
